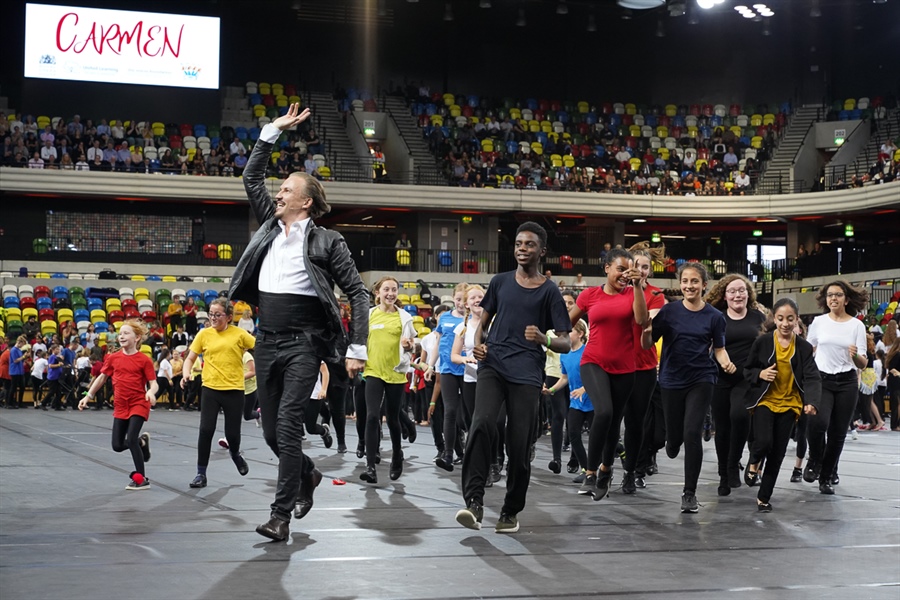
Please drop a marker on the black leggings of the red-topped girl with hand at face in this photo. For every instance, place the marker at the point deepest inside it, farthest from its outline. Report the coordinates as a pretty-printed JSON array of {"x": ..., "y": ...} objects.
[{"x": 609, "y": 393}]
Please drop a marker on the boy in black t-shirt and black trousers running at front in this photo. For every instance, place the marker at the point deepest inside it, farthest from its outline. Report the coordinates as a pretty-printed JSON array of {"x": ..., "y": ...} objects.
[{"x": 523, "y": 305}]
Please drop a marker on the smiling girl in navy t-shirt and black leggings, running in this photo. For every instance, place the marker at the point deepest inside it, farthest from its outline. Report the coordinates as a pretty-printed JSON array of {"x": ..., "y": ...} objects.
[{"x": 687, "y": 371}]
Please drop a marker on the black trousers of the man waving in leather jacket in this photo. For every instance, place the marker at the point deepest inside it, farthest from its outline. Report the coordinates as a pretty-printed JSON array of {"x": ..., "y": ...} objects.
[{"x": 287, "y": 368}]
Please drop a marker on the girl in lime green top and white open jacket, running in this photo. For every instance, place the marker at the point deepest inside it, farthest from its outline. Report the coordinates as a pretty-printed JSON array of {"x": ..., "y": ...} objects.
[{"x": 392, "y": 338}]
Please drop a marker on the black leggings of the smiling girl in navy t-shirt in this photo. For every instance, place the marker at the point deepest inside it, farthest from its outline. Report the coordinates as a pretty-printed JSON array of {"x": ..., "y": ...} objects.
[{"x": 685, "y": 409}]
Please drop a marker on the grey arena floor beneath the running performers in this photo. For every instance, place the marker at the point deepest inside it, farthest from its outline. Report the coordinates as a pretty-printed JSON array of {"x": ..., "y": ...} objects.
[{"x": 69, "y": 530}]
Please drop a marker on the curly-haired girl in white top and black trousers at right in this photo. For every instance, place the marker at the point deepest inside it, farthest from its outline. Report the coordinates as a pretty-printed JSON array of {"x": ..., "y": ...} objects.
[{"x": 839, "y": 340}]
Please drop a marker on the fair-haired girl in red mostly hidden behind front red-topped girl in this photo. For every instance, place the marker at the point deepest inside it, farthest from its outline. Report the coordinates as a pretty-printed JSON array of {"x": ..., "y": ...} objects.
[{"x": 645, "y": 362}]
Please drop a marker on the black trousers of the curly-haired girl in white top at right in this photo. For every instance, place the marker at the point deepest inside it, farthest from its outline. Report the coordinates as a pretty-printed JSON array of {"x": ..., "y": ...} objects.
[{"x": 828, "y": 427}]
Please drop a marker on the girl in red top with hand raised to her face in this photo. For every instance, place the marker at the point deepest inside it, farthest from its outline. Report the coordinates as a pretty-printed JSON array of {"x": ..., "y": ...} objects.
[{"x": 608, "y": 363}]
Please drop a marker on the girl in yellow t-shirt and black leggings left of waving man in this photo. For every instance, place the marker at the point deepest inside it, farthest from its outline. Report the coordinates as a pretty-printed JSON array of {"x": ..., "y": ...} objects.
[{"x": 222, "y": 346}]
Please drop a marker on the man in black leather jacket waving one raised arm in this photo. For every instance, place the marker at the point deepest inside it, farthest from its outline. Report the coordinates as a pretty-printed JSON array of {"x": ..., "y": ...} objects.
[{"x": 289, "y": 270}]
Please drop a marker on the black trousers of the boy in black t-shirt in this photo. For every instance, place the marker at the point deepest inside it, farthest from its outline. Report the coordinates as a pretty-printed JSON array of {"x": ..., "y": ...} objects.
[{"x": 521, "y": 401}]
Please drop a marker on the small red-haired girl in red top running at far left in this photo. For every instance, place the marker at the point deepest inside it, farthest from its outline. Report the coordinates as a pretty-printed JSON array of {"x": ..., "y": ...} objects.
[{"x": 131, "y": 372}]
